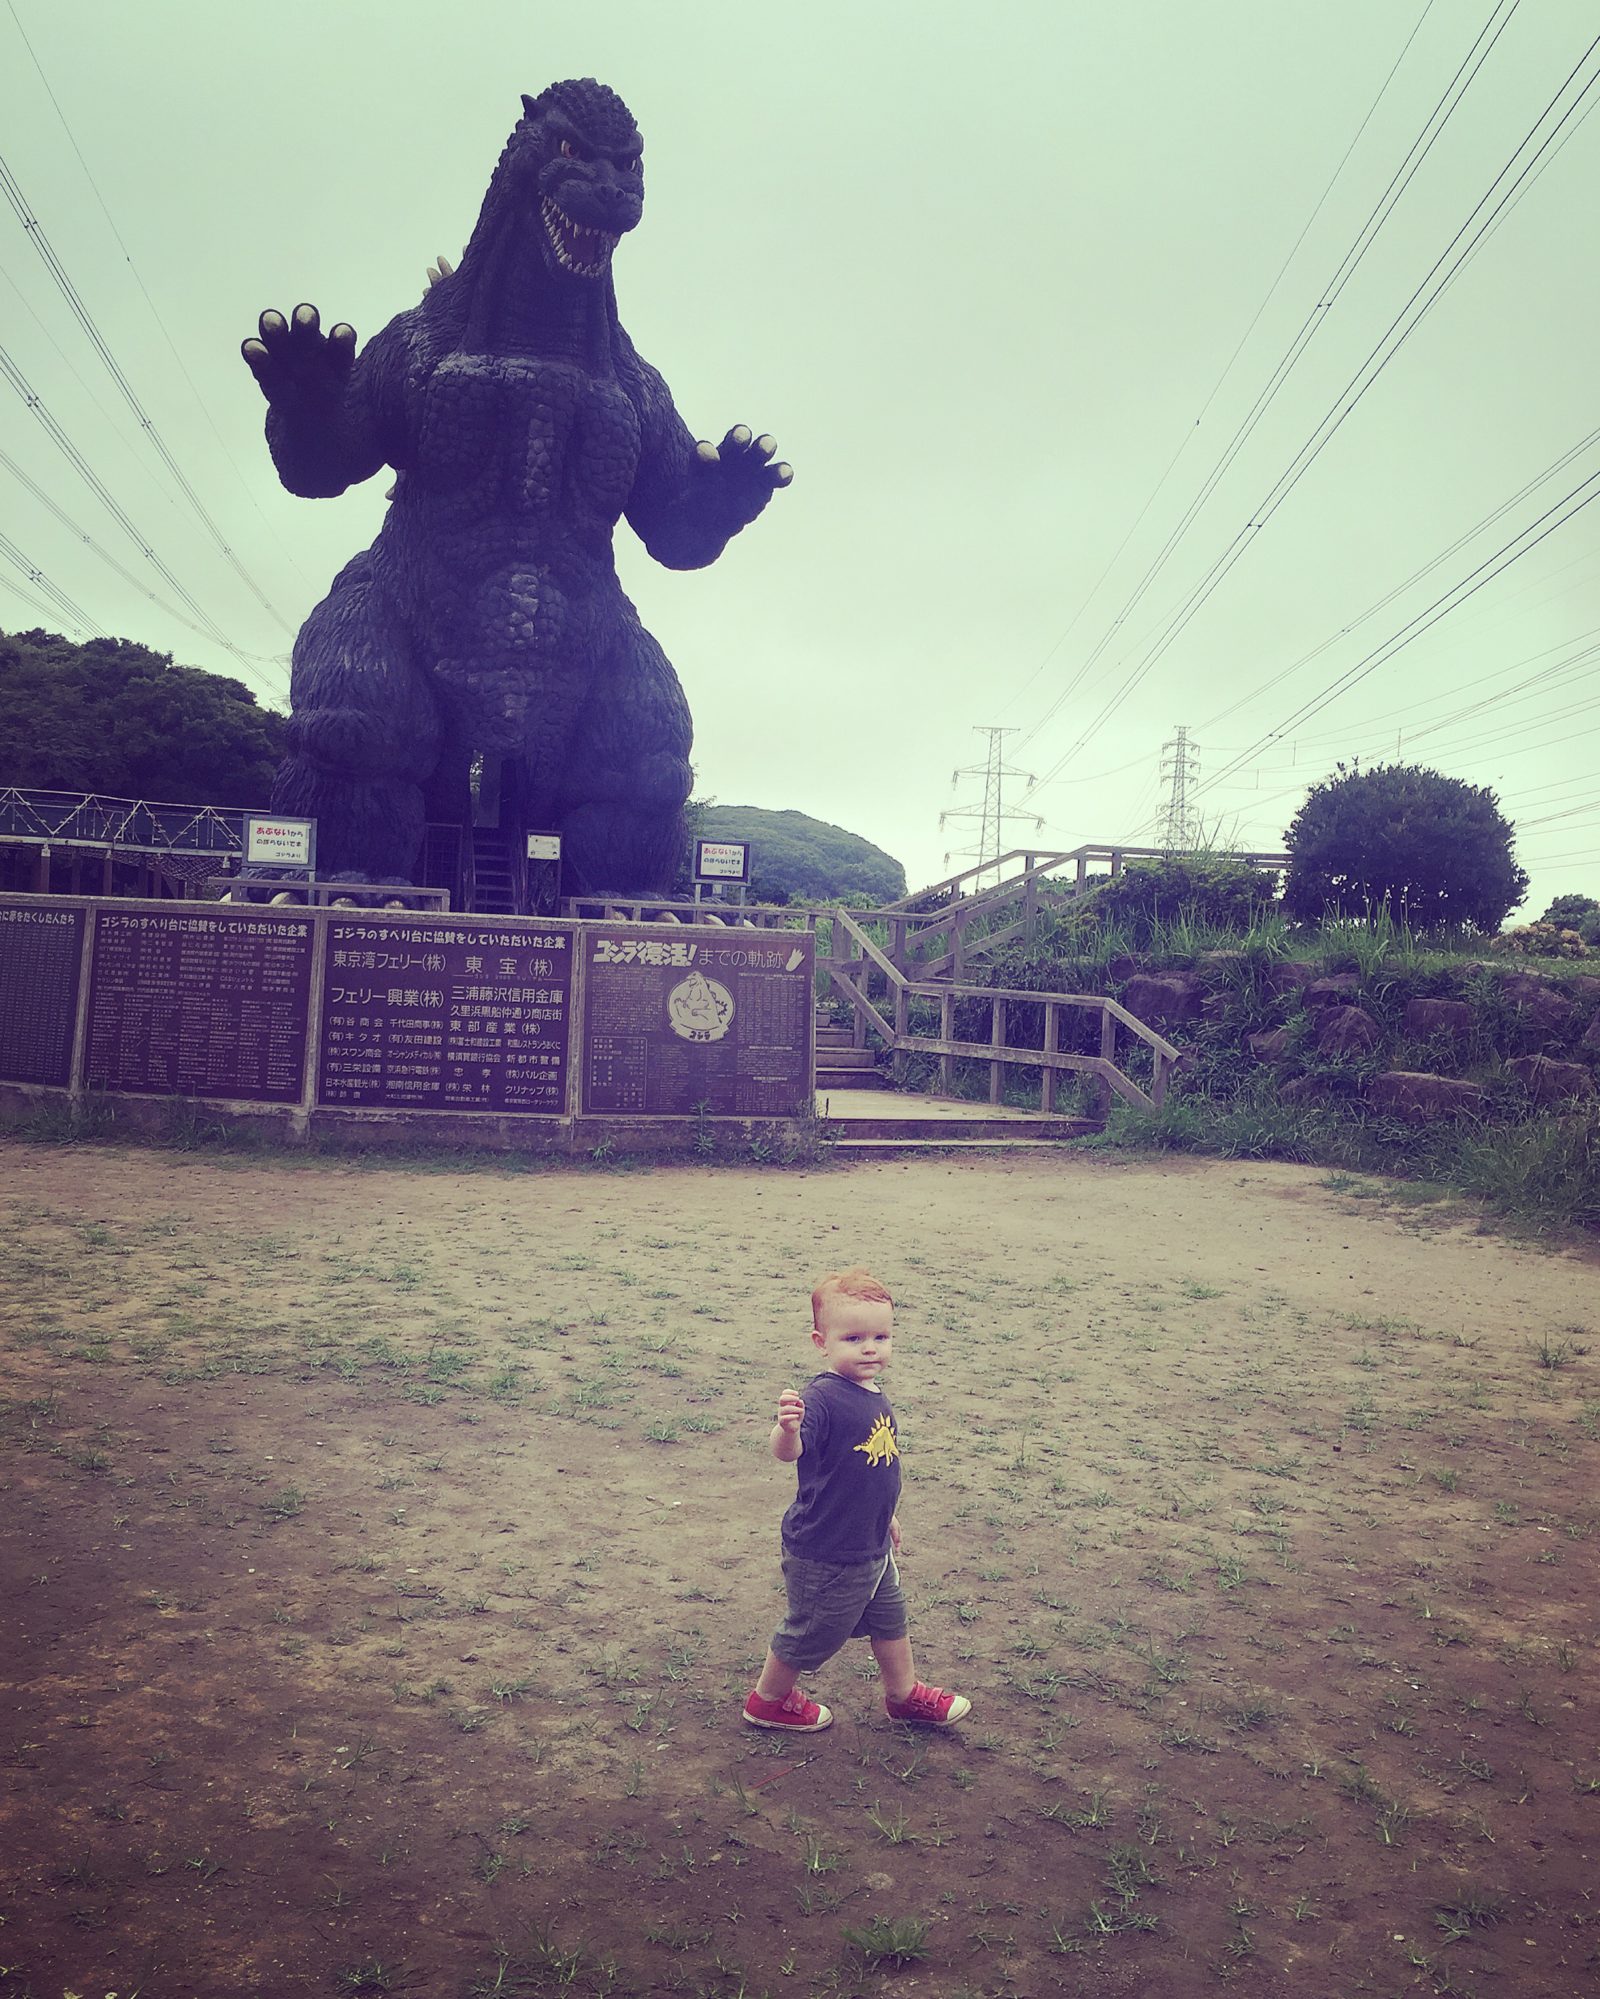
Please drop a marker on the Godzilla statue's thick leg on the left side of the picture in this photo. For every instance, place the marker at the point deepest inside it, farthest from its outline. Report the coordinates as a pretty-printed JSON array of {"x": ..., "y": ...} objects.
[{"x": 365, "y": 733}]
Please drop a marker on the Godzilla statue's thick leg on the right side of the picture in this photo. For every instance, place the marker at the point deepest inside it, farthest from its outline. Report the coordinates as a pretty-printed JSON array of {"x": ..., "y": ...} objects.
[{"x": 629, "y": 777}]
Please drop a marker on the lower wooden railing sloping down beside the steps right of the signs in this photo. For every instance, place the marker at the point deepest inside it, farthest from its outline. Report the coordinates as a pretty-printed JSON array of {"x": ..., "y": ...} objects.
[{"x": 889, "y": 1018}]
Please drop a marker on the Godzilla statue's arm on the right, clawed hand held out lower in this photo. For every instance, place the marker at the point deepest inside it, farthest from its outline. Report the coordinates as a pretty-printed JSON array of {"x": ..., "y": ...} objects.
[{"x": 691, "y": 499}]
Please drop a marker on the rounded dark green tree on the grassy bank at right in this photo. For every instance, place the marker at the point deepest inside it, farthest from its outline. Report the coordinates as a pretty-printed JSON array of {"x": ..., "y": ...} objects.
[{"x": 1431, "y": 851}]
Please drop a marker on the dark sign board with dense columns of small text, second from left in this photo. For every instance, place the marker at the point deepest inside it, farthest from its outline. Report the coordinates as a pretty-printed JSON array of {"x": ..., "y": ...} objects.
[{"x": 199, "y": 1002}]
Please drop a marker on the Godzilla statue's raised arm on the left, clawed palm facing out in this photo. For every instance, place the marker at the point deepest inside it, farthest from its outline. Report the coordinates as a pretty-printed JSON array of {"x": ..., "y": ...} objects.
[{"x": 335, "y": 417}]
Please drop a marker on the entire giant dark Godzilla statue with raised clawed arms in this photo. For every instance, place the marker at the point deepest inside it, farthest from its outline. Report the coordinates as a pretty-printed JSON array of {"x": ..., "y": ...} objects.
[{"x": 487, "y": 623}]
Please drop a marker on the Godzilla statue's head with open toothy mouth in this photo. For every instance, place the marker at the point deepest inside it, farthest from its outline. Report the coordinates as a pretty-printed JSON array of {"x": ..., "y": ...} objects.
[{"x": 579, "y": 155}]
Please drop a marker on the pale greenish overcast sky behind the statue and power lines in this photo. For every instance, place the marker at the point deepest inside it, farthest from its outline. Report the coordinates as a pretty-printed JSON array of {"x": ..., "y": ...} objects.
[{"x": 1003, "y": 287}]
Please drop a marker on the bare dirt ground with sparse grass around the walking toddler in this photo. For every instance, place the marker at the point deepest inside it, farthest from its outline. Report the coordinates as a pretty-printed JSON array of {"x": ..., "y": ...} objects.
[{"x": 387, "y": 1552}]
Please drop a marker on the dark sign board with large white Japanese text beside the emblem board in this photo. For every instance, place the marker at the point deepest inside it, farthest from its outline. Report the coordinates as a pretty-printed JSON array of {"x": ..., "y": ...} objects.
[{"x": 447, "y": 1016}]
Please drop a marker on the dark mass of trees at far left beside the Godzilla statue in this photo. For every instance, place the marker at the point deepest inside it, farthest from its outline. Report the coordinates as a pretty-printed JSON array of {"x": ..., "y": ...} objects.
[{"x": 119, "y": 719}]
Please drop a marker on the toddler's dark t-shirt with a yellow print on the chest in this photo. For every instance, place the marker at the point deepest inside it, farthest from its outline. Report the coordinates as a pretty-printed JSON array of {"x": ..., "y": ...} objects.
[{"x": 849, "y": 1474}]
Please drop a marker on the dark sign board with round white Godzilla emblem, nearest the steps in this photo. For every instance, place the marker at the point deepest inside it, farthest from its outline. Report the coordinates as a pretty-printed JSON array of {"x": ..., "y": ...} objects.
[{"x": 695, "y": 1016}]
